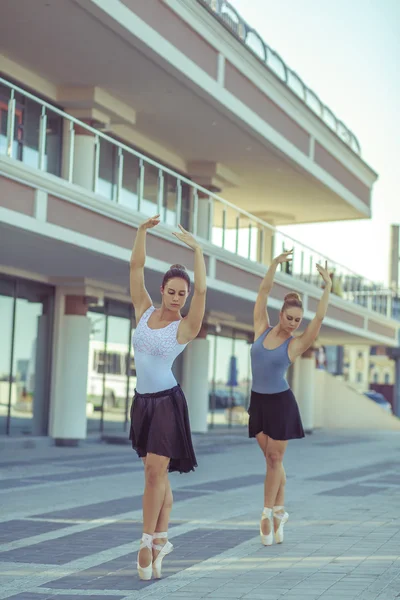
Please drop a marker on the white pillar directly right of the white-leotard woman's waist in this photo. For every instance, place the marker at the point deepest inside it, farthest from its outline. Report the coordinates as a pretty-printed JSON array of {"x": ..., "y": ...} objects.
[{"x": 195, "y": 383}]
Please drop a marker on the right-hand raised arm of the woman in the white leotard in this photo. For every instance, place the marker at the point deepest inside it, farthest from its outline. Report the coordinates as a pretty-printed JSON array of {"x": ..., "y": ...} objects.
[{"x": 191, "y": 324}]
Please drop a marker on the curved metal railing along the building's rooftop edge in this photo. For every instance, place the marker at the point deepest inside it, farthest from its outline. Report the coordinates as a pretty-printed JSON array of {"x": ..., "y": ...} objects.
[{"x": 226, "y": 13}]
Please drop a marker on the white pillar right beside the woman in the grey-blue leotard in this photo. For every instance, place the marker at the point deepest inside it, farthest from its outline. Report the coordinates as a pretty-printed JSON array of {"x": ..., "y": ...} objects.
[{"x": 305, "y": 390}]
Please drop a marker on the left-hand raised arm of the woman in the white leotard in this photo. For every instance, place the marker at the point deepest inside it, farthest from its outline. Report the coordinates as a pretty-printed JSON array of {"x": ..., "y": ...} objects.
[{"x": 139, "y": 295}]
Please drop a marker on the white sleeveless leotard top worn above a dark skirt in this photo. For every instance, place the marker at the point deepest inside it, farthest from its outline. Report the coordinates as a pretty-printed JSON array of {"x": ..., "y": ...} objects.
[{"x": 155, "y": 351}]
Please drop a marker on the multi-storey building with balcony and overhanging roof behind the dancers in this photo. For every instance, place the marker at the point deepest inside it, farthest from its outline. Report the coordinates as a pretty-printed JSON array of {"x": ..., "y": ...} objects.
[{"x": 114, "y": 111}]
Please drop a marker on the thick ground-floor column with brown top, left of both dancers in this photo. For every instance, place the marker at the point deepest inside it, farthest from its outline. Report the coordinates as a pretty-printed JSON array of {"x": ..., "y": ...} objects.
[{"x": 68, "y": 410}]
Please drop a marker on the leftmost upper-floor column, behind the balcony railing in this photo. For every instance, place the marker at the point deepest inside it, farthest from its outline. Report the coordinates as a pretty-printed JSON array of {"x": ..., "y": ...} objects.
[{"x": 83, "y": 155}]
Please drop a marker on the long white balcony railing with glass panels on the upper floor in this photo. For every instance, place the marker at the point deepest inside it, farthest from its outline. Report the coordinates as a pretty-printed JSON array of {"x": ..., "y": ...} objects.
[{"x": 31, "y": 132}]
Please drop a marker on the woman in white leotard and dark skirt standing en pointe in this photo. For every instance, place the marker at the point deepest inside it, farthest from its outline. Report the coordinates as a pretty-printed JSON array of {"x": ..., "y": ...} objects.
[{"x": 160, "y": 430}]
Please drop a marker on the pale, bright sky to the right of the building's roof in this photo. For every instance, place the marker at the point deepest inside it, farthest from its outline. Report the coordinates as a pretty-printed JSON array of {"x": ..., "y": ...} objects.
[{"x": 348, "y": 53}]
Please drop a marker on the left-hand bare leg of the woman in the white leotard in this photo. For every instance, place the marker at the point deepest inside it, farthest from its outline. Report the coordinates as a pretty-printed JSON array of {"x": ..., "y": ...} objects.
[{"x": 153, "y": 498}]
